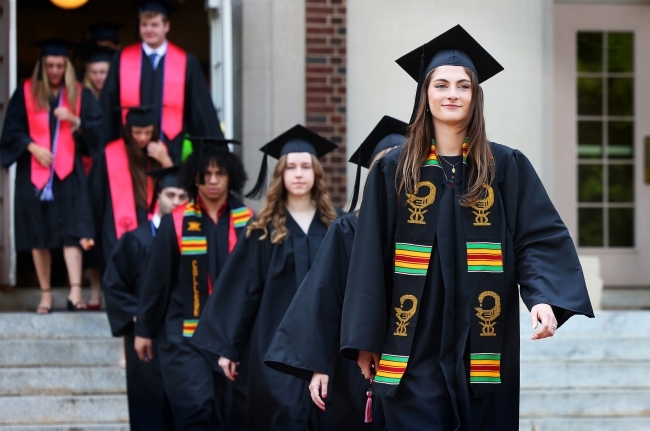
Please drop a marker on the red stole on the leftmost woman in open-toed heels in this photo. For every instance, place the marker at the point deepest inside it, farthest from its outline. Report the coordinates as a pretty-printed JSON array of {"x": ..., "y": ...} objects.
[{"x": 38, "y": 121}]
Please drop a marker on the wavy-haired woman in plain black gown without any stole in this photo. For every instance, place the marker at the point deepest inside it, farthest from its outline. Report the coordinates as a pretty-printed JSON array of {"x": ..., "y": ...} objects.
[{"x": 259, "y": 281}]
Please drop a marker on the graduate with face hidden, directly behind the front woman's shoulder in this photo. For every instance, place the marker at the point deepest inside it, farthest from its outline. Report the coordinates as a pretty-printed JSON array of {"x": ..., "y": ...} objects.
[{"x": 306, "y": 344}]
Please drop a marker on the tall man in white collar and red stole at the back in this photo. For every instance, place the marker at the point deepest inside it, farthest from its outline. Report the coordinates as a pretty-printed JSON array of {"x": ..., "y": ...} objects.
[{"x": 158, "y": 73}]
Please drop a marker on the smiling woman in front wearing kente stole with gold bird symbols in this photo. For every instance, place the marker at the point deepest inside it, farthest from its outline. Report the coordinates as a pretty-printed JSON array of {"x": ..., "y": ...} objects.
[{"x": 448, "y": 227}]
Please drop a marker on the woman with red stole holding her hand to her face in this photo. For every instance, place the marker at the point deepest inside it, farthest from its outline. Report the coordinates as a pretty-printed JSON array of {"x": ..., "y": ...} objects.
[{"x": 119, "y": 194}]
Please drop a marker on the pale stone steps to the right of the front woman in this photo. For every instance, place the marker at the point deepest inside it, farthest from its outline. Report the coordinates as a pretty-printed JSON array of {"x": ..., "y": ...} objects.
[{"x": 594, "y": 375}]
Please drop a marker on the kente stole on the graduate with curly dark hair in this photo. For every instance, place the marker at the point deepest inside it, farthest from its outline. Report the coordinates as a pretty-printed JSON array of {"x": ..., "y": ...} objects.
[{"x": 193, "y": 246}]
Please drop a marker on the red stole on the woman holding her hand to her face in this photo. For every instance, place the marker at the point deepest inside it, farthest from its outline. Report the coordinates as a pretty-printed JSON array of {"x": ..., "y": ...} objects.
[{"x": 121, "y": 187}]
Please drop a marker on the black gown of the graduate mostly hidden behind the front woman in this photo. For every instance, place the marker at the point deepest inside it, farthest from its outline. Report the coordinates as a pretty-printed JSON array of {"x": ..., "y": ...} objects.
[{"x": 307, "y": 339}]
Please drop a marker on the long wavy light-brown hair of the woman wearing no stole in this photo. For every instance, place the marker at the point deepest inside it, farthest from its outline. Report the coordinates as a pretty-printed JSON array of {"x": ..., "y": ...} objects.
[{"x": 274, "y": 208}]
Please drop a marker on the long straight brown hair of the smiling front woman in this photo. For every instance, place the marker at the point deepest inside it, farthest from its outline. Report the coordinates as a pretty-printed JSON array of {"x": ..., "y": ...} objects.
[{"x": 416, "y": 147}]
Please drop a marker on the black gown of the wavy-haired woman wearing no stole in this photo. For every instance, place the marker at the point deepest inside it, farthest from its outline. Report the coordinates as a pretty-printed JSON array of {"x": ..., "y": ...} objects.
[{"x": 251, "y": 296}]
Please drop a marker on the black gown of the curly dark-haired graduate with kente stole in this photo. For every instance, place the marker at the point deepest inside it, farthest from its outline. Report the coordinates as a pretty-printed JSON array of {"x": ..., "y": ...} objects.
[{"x": 193, "y": 380}]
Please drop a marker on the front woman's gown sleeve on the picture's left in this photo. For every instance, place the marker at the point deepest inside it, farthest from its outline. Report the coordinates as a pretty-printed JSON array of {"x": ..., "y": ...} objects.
[{"x": 369, "y": 287}]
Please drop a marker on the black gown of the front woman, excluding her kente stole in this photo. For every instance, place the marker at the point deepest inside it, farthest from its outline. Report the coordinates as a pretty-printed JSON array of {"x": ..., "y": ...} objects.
[{"x": 435, "y": 393}]
